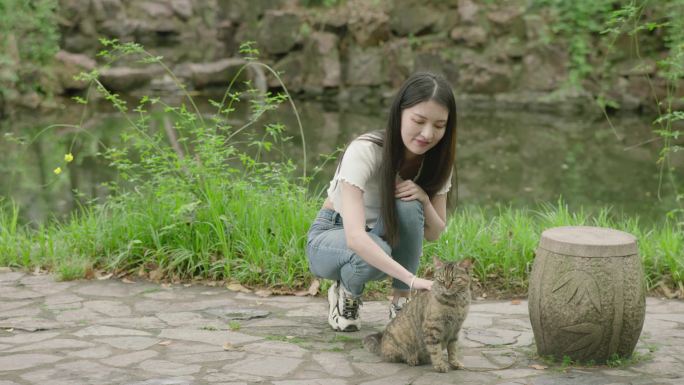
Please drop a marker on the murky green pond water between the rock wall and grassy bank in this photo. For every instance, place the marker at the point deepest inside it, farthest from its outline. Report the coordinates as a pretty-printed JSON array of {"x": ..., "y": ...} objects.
[{"x": 503, "y": 157}]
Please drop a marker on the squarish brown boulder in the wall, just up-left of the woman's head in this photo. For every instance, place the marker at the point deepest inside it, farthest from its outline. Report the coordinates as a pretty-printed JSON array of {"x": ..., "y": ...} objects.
[{"x": 365, "y": 66}]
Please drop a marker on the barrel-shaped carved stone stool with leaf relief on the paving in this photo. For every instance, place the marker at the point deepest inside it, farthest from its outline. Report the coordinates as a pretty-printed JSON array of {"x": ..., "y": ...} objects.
[{"x": 586, "y": 293}]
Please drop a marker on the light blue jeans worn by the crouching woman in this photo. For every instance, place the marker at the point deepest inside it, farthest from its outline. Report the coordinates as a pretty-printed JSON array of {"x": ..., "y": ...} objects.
[{"x": 329, "y": 257}]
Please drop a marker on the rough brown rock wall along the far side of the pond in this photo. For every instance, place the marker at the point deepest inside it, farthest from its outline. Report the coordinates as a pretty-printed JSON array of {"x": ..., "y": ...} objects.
[{"x": 496, "y": 54}]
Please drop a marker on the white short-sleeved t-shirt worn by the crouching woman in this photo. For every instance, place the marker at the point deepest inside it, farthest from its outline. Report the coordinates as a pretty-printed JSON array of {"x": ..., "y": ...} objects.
[{"x": 360, "y": 167}]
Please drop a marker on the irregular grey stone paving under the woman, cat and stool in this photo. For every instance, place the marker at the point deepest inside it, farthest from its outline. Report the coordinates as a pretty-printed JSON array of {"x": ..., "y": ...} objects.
[{"x": 122, "y": 332}]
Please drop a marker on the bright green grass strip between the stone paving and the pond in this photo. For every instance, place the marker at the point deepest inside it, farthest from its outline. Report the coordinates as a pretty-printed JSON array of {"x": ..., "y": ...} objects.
[{"x": 256, "y": 235}]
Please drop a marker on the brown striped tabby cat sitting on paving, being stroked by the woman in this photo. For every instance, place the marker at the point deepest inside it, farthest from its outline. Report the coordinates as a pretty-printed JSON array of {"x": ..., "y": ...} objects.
[{"x": 429, "y": 322}]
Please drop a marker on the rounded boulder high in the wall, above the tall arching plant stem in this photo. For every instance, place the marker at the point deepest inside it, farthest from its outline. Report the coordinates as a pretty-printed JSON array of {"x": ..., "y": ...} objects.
[{"x": 279, "y": 31}]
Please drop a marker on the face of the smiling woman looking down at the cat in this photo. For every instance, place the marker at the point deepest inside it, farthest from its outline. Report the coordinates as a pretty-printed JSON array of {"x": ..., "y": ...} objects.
[{"x": 422, "y": 127}]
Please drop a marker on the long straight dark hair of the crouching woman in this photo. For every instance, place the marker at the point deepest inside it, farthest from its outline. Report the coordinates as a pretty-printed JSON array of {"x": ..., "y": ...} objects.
[{"x": 438, "y": 161}]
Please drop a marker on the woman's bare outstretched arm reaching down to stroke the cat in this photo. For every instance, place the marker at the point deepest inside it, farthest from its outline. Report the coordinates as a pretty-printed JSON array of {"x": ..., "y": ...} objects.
[{"x": 358, "y": 240}]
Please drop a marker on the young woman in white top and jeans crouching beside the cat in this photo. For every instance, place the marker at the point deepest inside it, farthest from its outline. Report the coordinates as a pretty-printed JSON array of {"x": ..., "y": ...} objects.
[{"x": 388, "y": 192}]
